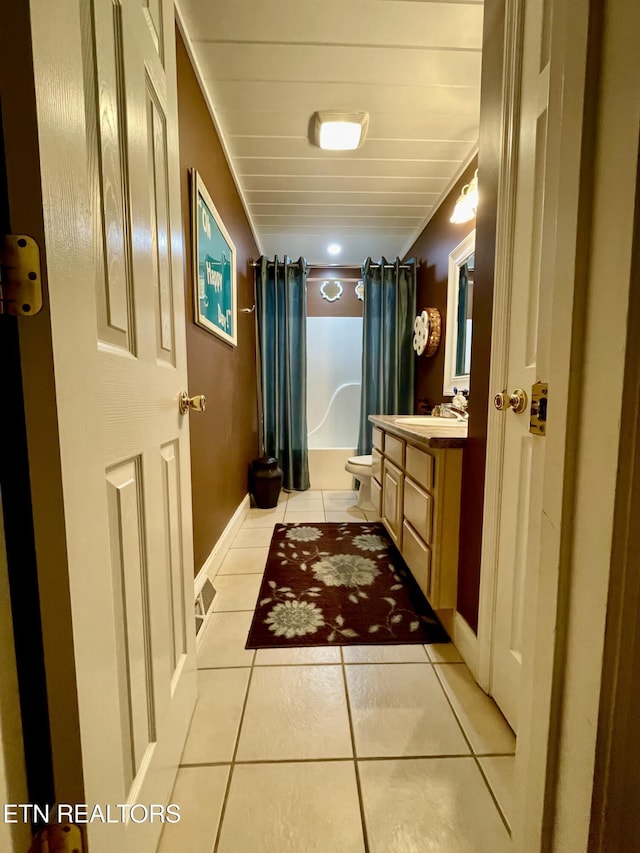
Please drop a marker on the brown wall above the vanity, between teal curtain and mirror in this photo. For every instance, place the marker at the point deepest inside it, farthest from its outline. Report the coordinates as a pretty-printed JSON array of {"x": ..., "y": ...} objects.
[{"x": 432, "y": 249}]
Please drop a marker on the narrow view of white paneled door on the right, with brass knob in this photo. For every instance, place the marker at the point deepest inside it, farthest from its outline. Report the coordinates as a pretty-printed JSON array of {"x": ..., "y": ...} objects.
[{"x": 528, "y": 330}]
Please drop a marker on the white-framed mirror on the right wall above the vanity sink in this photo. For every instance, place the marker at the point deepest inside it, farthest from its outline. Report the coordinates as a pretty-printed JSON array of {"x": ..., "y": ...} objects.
[{"x": 457, "y": 358}]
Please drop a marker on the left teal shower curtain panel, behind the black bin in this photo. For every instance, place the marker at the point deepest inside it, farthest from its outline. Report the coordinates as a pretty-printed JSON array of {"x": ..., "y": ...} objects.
[{"x": 281, "y": 319}]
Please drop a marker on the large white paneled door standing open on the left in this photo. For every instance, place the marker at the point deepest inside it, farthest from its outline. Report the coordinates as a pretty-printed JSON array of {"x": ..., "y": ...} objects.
[{"x": 105, "y": 90}]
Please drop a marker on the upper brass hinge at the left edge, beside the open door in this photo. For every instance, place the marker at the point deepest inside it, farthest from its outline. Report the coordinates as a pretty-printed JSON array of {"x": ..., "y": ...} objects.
[{"x": 20, "y": 278}]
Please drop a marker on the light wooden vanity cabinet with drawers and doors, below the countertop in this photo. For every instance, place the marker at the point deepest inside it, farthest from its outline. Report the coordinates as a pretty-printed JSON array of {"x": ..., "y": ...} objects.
[{"x": 418, "y": 488}]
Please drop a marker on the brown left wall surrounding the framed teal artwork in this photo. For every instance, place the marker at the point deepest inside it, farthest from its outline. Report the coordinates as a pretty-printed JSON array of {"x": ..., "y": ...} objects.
[{"x": 225, "y": 438}]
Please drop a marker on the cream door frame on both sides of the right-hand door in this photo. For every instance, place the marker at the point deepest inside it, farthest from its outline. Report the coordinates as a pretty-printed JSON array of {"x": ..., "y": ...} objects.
[{"x": 588, "y": 263}]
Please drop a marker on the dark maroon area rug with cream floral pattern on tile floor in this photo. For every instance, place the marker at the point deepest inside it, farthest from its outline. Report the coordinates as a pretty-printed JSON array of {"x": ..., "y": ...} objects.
[{"x": 339, "y": 584}]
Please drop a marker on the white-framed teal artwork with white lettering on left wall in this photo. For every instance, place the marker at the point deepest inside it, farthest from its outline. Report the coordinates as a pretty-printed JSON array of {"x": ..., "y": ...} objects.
[{"x": 214, "y": 267}]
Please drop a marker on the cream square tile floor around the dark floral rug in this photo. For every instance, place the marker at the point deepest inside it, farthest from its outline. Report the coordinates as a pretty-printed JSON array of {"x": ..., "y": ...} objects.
[{"x": 387, "y": 749}]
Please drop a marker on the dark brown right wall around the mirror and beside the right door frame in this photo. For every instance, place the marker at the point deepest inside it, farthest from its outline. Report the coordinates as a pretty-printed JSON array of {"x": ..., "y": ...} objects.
[{"x": 433, "y": 246}]
